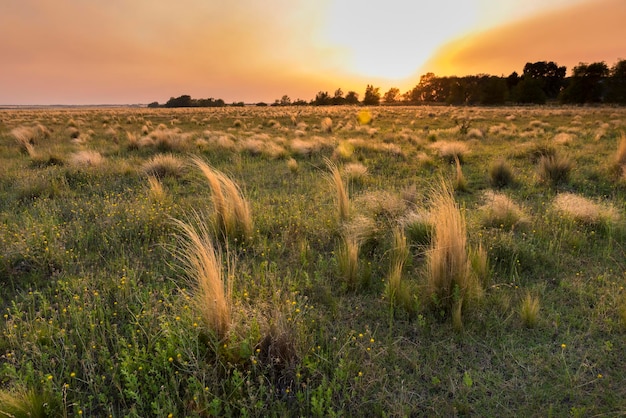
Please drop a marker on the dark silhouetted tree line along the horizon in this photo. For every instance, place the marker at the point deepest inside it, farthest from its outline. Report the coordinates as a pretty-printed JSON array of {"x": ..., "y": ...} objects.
[{"x": 540, "y": 82}]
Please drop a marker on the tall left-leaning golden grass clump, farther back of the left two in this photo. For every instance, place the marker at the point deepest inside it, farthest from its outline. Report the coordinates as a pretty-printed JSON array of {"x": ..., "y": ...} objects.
[{"x": 232, "y": 216}]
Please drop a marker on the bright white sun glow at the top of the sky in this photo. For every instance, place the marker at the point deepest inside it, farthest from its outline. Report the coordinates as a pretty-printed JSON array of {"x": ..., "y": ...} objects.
[{"x": 391, "y": 40}]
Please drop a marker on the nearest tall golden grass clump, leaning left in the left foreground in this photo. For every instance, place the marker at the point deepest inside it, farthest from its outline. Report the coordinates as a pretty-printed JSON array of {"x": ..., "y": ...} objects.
[{"x": 202, "y": 262}]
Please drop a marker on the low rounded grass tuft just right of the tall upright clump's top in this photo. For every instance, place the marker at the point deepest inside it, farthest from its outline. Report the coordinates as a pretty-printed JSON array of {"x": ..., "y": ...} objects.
[{"x": 500, "y": 211}]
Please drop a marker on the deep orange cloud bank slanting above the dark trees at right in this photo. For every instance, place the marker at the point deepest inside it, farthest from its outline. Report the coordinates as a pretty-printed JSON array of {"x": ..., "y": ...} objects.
[{"x": 589, "y": 32}]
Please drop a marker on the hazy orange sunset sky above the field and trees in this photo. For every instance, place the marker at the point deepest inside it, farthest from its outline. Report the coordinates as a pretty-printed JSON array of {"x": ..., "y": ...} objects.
[{"x": 140, "y": 51}]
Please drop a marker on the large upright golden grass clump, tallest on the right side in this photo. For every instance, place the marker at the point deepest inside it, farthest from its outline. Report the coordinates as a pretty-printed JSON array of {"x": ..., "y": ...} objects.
[{"x": 450, "y": 285}]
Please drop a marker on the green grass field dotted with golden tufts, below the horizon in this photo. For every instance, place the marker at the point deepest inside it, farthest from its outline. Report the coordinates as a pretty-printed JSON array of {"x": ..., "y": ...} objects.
[{"x": 392, "y": 261}]
